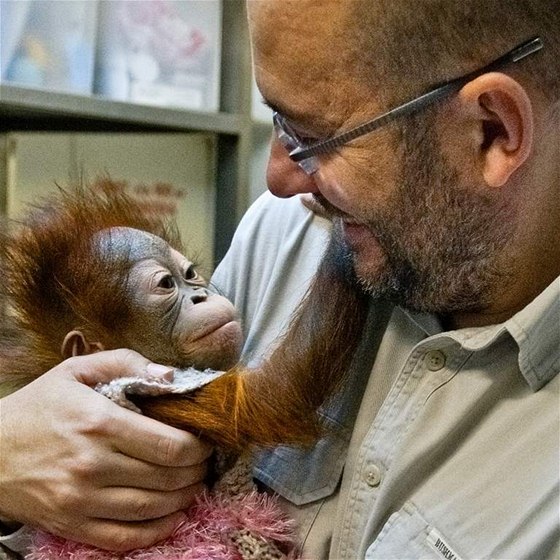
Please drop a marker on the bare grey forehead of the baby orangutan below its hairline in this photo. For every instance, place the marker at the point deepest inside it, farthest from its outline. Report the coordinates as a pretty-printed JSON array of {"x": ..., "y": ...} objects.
[{"x": 129, "y": 243}]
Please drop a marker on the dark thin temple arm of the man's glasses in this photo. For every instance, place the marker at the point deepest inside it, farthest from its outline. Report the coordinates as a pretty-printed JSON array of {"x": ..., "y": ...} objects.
[{"x": 515, "y": 55}]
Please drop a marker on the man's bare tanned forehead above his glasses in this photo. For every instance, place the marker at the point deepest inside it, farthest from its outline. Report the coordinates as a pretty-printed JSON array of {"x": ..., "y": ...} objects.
[{"x": 302, "y": 61}]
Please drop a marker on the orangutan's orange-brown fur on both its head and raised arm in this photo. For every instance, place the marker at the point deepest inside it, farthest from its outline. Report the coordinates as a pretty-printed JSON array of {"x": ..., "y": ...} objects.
[{"x": 55, "y": 284}]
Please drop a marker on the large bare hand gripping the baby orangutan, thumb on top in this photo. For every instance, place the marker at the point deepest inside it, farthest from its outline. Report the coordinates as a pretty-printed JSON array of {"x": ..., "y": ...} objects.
[{"x": 77, "y": 465}]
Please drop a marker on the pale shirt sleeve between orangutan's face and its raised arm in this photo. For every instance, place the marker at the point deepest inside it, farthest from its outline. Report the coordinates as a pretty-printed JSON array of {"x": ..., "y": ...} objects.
[{"x": 273, "y": 257}]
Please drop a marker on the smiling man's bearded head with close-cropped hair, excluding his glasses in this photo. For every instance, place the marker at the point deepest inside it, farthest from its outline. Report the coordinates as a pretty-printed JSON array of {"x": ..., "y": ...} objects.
[{"x": 439, "y": 208}]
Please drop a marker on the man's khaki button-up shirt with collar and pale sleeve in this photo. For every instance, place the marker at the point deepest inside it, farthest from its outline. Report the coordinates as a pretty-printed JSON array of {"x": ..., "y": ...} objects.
[{"x": 453, "y": 451}]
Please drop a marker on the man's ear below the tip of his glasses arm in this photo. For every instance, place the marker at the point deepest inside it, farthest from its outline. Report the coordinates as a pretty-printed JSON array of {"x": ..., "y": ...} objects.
[{"x": 505, "y": 137}]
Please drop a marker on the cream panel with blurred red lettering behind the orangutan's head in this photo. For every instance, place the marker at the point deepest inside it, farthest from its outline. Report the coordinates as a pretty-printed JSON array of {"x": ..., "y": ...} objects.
[{"x": 170, "y": 174}]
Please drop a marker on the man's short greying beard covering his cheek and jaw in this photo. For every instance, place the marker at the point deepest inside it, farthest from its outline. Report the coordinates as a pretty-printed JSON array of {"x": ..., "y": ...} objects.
[{"x": 441, "y": 239}]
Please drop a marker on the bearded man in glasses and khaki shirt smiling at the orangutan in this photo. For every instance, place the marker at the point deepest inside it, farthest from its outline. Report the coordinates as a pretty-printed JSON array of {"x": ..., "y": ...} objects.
[{"x": 448, "y": 444}]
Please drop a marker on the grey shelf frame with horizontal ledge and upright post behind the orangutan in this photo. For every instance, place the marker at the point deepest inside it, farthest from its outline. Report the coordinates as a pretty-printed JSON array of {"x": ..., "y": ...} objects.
[{"x": 23, "y": 109}]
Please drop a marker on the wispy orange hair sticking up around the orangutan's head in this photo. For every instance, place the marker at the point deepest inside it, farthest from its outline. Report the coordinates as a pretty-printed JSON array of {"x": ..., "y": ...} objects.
[{"x": 52, "y": 281}]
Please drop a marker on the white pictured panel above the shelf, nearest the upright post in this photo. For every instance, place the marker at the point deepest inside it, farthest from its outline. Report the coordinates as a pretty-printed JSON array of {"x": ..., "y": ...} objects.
[{"x": 160, "y": 52}]
